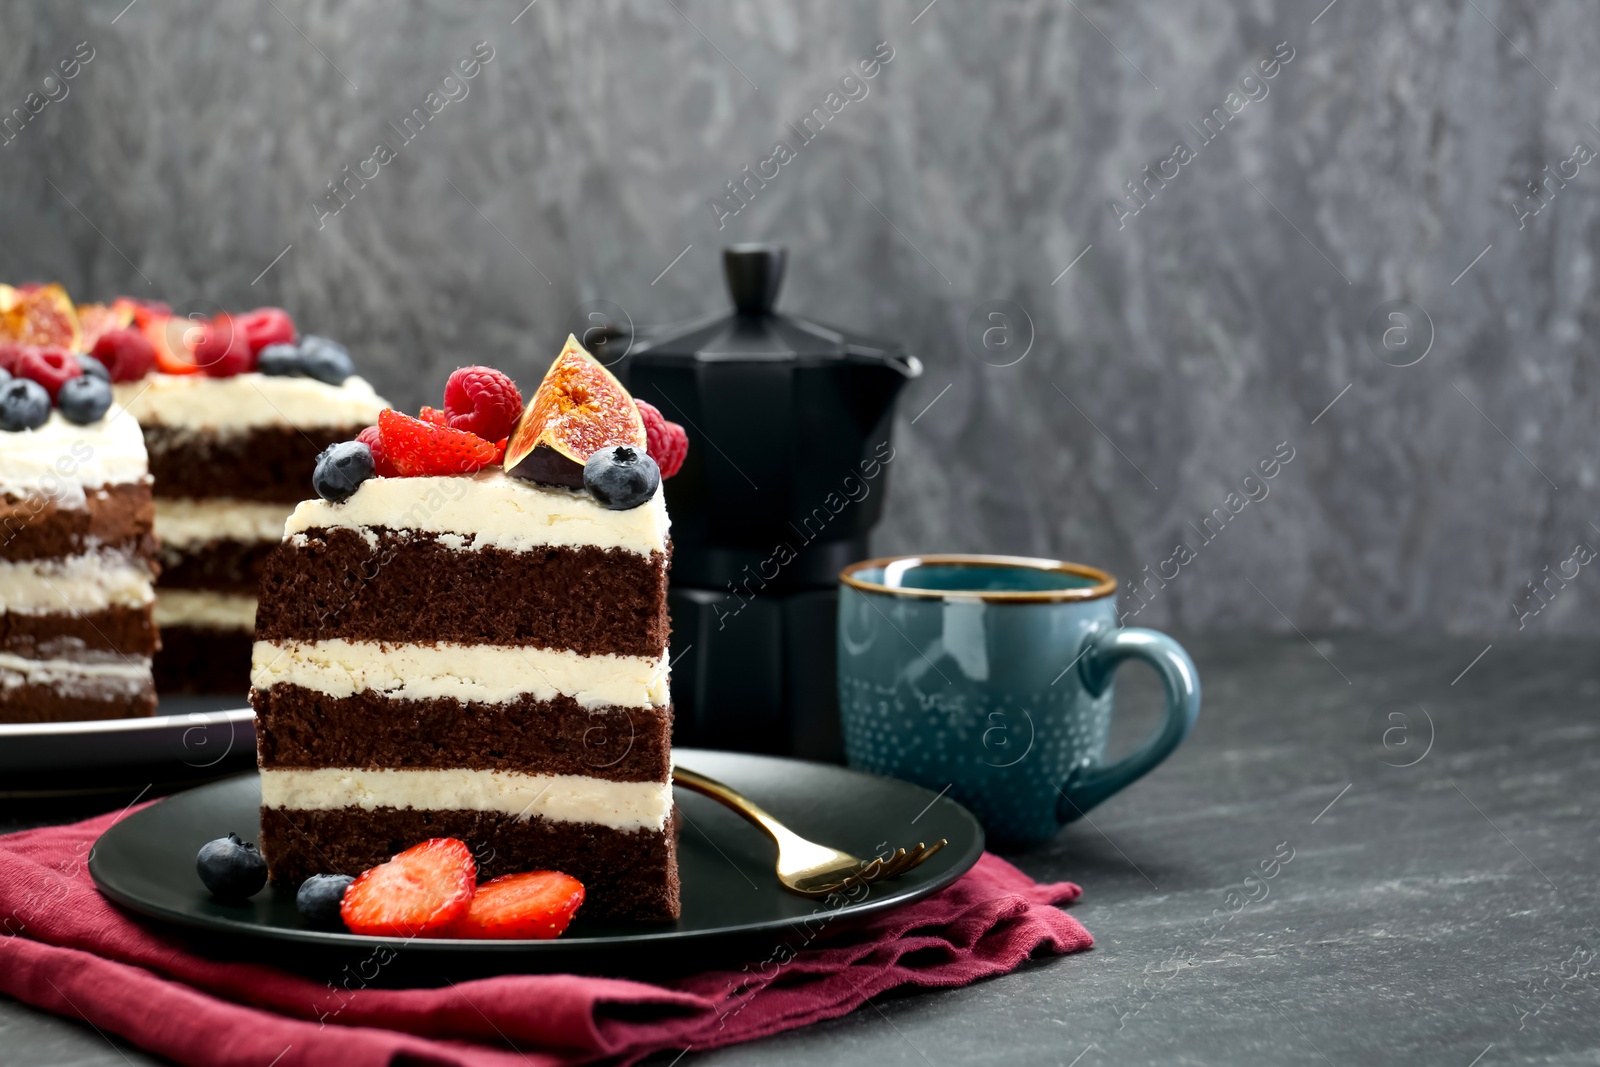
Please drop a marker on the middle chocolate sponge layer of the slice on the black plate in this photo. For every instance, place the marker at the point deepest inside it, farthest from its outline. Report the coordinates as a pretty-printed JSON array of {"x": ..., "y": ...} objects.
[{"x": 298, "y": 727}]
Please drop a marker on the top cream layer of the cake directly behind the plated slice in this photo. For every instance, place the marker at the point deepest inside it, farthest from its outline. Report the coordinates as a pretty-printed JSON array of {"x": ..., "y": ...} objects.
[{"x": 198, "y": 402}]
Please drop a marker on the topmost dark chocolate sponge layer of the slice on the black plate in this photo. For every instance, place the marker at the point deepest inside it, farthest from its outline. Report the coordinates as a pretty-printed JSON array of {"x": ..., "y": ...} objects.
[{"x": 412, "y": 588}]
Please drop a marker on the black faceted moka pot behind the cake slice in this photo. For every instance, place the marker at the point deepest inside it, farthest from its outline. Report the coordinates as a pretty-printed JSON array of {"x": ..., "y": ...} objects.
[{"x": 785, "y": 479}]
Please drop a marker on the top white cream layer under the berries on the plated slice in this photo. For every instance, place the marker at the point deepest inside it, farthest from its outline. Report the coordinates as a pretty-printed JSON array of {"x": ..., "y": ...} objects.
[{"x": 490, "y": 510}]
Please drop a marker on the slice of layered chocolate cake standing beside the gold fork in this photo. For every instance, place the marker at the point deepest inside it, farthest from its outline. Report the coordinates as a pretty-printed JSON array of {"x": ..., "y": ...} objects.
[{"x": 474, "y": 657}]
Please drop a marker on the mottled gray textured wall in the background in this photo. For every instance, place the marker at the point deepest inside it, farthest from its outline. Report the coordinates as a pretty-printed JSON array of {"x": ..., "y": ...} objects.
[{"x": 1178, "y": 351}]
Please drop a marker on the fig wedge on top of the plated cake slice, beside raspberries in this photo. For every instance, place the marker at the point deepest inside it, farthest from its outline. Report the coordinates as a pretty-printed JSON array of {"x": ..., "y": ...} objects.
[{"x": 578, "y": 410}]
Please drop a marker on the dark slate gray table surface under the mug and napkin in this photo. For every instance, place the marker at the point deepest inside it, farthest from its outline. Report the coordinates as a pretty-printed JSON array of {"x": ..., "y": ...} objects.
[{"x": 1436, "y": 908}]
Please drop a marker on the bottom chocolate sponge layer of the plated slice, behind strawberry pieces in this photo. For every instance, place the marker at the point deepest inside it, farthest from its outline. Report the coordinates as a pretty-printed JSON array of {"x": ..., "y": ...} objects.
[{"x": 626, "y": 874}]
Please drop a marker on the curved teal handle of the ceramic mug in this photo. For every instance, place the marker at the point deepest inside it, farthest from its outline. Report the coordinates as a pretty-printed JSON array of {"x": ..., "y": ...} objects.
[{"x": 1090, "y": 785}]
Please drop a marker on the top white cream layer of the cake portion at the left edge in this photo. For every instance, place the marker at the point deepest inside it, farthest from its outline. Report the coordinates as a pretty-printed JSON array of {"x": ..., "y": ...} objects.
[{"x": 62, "y": 458}]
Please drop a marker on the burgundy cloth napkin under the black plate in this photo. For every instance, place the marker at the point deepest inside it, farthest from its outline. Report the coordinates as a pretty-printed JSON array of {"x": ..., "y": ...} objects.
[{"x": 70, "y": 951}]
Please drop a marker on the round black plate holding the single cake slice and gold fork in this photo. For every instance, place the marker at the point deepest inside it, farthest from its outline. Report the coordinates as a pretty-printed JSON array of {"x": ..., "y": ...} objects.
[{"x": 148, "y": 863}]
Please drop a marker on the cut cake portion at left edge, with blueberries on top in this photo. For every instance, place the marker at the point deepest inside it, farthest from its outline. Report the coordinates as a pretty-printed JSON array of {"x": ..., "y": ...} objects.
[{"x": 76, "y": 559}]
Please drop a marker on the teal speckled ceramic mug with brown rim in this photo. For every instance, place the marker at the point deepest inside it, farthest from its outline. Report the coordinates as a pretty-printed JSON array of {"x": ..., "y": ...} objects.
[{"x": 991, "y": 676}]
